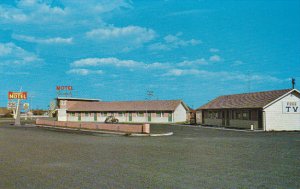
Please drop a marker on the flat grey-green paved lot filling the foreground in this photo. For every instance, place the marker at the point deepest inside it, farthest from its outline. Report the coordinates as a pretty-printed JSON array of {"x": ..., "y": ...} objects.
[{"x": 193, "y": 158}]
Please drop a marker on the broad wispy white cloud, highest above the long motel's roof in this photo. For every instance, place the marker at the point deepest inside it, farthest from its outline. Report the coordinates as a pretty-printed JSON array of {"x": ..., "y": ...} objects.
[{"x": 137, "y": 34}]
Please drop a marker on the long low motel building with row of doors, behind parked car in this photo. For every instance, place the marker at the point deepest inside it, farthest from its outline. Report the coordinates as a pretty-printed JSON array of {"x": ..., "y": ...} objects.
[{"x": 93, "y": 110}]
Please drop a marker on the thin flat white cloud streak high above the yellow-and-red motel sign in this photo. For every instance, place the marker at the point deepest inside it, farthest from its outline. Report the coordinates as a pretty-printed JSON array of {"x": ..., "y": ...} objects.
[{"x": 55, "y": 40}]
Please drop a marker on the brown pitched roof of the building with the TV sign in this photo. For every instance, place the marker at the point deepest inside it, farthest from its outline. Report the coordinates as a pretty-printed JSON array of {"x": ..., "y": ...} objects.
[{"x": 246, "y": 100}]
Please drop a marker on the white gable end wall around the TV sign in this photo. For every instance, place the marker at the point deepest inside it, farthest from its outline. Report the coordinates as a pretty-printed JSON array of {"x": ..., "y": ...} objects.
[{"x": 276, "y": 120}]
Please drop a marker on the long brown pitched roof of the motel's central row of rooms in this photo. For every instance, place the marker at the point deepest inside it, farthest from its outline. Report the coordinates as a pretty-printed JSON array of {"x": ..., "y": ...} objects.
[{"x": 153, "y": 105}]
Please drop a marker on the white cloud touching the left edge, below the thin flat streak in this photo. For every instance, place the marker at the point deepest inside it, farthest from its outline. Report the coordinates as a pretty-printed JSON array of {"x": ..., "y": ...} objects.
[{"x": 11, "y": 54}]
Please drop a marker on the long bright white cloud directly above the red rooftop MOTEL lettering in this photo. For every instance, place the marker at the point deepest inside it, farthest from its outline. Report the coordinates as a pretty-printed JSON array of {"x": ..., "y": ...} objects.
[{"x": 106, "y": 61}]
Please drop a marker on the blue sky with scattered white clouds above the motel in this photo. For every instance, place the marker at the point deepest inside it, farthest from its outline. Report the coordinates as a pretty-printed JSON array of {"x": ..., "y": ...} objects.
[{"x": 117, "y": 50}]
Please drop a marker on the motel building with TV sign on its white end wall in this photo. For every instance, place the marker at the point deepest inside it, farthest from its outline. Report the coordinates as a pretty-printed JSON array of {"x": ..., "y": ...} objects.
[{"x": 277, "y": 110}]
